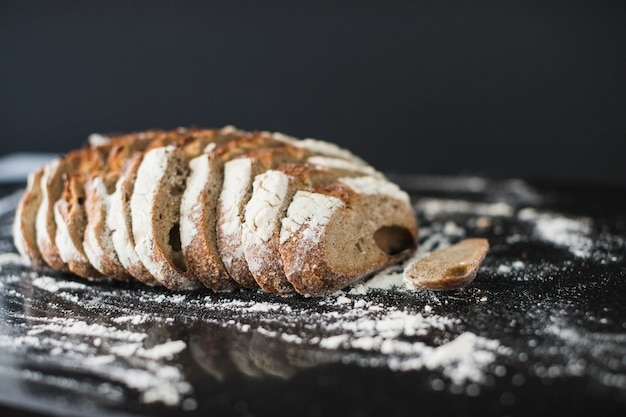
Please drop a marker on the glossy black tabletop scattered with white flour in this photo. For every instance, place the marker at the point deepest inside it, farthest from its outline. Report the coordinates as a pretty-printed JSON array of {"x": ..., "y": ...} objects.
[{"x": 541, "y": 329}]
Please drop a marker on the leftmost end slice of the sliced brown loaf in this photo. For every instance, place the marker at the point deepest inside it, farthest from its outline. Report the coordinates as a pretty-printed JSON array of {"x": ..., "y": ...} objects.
[{"x": 24, "y": 230}]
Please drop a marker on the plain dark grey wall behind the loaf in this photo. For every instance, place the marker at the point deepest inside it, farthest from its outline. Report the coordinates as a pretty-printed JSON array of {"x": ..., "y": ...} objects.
[{"x": 507, "y": 89}]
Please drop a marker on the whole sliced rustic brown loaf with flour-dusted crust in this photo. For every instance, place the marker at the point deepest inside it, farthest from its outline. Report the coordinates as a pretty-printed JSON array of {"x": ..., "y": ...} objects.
[{"x": 219, "y": 208}]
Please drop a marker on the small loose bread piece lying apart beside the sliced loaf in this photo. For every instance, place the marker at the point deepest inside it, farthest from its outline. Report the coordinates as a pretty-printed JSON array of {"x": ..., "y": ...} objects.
[{"x": 448, "y": 268}]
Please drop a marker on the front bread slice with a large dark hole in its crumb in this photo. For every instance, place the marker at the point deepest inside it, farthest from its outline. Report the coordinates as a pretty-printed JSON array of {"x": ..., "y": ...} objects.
[{"x": 339, "y": 233}]
